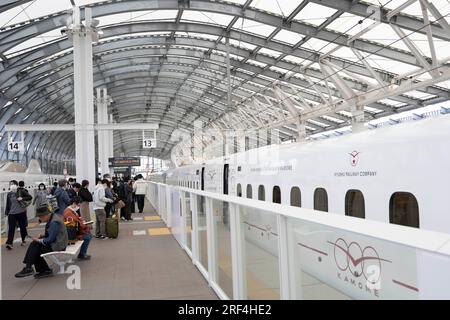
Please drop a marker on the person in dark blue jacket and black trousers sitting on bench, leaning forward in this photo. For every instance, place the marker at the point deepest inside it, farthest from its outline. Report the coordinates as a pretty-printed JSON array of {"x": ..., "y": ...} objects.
[{"x": 55, "y": 239}]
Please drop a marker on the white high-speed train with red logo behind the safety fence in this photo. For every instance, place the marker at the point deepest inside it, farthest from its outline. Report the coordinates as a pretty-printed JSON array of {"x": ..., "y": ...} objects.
[{"x": 398, "y": 174}]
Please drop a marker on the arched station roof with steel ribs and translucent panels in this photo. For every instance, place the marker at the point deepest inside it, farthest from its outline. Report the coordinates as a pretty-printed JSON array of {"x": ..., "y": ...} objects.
[{"x": 166, "y": 62}]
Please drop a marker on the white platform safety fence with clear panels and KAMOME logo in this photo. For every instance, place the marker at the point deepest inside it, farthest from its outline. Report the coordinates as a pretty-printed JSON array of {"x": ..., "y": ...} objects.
[{"x": 250, "y": 249}]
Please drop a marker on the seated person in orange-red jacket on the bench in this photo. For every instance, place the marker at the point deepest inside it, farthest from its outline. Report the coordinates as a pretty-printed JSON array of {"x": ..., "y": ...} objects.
[{"x": 84, "y": 233}]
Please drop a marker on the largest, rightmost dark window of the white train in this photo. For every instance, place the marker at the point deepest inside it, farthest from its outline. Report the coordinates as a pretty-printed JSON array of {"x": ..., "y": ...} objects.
[{"x": 404, "y": 209}]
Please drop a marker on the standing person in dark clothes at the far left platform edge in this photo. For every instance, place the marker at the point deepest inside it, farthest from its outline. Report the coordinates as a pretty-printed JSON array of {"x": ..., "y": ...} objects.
[{"x": 17, "y": 201}]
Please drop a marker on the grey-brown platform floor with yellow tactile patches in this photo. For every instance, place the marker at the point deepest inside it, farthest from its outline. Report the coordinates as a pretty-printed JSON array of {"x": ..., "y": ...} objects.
[{"x": 144, "y": 262}]
